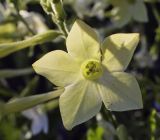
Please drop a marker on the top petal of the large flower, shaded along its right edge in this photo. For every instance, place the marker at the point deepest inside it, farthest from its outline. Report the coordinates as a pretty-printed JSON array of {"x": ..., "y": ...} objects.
[{"x": 82, "y": 42}]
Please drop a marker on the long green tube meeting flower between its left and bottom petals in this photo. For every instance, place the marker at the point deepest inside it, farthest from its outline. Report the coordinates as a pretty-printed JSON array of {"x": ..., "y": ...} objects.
[{"x": 24, "y": 103}]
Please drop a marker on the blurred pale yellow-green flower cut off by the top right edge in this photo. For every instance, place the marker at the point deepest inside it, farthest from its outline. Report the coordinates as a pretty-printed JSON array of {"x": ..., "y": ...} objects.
[{"x": 126, "y": 10}]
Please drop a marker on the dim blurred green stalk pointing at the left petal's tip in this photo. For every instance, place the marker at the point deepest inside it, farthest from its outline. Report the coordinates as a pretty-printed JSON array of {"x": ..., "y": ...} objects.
[{"x": 10, "y": 73}]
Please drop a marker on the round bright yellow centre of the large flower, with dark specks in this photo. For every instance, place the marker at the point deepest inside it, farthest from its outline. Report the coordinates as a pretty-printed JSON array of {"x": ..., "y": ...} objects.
[{"x": 91, "y": 69}]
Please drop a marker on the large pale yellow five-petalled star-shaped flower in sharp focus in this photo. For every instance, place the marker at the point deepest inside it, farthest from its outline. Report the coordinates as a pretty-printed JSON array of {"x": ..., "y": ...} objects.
[{"x": 92, "y": 73}]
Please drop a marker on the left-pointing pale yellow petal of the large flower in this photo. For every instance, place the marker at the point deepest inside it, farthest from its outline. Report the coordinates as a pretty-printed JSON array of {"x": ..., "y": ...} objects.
[{"x": 58, "y": 67}]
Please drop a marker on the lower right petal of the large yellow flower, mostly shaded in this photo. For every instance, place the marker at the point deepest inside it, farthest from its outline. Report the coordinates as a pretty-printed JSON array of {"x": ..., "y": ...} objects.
[{"x": 120, "y": 92}]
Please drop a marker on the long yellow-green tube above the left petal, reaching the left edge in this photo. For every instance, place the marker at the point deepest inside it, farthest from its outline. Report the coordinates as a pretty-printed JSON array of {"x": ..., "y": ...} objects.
[{"x": 8, "y": 48}]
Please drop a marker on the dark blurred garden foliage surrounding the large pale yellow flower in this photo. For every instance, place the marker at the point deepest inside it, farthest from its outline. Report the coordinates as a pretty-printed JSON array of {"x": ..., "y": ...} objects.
[{"x": 20, "y": 20}]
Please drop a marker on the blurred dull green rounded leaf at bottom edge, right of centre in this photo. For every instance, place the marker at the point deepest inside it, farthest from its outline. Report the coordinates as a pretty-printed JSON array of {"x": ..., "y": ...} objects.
[{"x": 122, "y": 132}]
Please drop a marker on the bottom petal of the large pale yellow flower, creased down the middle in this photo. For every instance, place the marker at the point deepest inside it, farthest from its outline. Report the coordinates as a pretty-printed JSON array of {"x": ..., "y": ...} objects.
[{"x": 79, "y": 102}]
